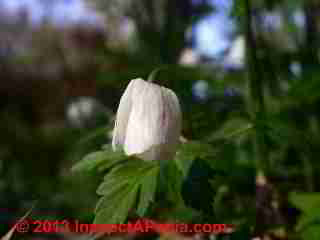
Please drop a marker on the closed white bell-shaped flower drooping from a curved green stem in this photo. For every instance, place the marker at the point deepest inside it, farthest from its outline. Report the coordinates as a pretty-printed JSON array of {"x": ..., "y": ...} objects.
[{"x": 148, "y": 121}]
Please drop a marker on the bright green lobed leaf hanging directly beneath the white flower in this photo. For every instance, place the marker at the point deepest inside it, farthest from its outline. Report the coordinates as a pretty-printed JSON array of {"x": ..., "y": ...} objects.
[{"x": 120, "y": 189}]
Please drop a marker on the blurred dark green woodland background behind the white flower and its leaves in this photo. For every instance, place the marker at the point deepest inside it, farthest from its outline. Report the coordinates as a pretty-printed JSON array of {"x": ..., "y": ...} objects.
[{"x": 248, "y": 79}]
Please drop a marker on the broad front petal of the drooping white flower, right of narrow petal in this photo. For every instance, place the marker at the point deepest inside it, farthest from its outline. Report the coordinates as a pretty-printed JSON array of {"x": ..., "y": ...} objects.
[{"x": 154, "y": 124}]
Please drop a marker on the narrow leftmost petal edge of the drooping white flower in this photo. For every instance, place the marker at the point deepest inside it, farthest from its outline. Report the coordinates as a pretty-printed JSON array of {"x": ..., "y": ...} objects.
[{"x": 122, "y": 117}]
